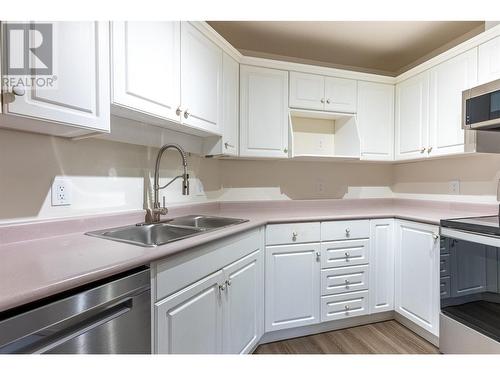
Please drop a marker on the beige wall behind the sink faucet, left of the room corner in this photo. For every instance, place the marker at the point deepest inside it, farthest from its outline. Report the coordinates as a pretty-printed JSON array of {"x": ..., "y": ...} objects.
[{"x": 105, "y": 176}]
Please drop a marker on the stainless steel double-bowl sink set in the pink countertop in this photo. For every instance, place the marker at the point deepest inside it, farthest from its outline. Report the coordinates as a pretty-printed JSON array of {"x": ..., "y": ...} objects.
[{"x": 151, "y": 235}]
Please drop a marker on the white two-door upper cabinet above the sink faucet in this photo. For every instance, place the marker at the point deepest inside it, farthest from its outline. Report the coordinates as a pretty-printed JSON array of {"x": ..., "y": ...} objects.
[{"x": 167, "y": 74}]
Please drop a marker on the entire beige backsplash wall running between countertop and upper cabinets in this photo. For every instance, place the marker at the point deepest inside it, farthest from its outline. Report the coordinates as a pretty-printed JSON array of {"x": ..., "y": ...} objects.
[{"x": 110, "y": 177}]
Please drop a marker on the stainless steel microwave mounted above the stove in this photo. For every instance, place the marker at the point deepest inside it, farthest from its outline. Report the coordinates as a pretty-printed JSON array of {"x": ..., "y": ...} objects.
[{"x": 481, "y": 107}]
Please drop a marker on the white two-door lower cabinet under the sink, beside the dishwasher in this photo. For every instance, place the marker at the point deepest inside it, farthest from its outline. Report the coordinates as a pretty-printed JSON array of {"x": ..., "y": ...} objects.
[{"x": 219, "y": 313}]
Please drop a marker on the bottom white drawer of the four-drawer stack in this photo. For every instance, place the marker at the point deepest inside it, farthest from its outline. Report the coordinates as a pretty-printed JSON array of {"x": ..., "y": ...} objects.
[{"x": 345, "y": 305}]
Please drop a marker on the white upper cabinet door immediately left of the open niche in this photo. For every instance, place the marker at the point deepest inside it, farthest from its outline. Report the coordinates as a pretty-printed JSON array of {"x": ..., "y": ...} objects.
[{"x": 264, "y": 112}]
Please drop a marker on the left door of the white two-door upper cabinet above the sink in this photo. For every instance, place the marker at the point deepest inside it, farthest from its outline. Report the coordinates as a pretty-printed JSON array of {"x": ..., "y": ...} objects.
[{"x": 146, "y": 67}]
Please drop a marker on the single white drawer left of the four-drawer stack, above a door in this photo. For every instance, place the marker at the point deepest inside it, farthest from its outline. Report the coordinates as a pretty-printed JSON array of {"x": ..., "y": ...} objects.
[{"x": 278, "y": 234}]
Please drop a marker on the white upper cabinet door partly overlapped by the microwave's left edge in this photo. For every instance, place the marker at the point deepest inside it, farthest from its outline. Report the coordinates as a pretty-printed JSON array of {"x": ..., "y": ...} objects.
[{"x": 447, "y": 82}]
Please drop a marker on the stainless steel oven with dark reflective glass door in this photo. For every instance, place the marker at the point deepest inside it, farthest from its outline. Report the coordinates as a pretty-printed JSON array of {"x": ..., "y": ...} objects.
[{"x": 470, "y": 285}]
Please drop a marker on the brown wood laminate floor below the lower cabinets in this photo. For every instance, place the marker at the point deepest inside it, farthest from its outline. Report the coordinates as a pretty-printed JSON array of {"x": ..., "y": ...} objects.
[{"x": 388, "y": 337}]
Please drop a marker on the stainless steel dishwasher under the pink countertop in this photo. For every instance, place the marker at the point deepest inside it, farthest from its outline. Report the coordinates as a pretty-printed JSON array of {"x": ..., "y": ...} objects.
[{"x": 112, "y": 316}]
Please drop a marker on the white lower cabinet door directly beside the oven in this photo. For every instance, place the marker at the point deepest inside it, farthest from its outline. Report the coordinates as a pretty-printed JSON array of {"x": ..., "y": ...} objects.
[{"x": 417, "y": 274}]
